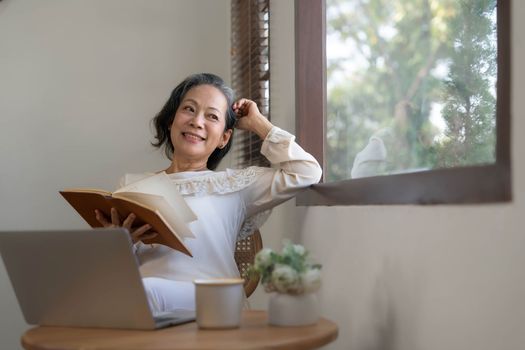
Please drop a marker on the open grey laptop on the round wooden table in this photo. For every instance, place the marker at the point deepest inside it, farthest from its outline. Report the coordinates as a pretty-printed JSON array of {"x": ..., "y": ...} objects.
[{"x": 81, "y": 278}]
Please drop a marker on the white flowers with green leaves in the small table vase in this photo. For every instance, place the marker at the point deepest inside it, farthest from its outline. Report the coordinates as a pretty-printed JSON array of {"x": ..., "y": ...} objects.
[{"x": 288, "y": 272}]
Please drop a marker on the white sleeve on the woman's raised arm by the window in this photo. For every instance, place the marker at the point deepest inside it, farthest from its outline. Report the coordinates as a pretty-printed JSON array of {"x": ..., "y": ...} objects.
[{"x": 293, "y": 169}]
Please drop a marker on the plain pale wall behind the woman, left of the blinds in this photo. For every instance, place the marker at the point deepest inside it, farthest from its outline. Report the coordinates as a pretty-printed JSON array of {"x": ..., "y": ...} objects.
[{"x": 79, "y": 82}]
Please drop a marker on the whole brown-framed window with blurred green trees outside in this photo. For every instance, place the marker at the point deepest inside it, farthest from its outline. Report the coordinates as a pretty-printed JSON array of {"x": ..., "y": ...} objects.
[{"x": 427, "y": 82}]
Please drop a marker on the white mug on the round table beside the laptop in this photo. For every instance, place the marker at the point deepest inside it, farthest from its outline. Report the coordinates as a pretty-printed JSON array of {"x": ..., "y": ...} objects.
[{"x": 219, "y": 302}]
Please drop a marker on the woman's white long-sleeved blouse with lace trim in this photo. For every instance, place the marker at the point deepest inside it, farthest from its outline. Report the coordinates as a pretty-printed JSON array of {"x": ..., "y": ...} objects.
[{"x": 230, "y": 205}]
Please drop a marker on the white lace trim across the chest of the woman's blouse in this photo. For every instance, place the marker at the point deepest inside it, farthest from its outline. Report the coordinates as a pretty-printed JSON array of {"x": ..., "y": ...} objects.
[{"x": 220, "y": 183}]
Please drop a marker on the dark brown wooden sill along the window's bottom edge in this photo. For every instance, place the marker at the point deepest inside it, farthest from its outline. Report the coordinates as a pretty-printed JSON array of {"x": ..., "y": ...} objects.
[{"x": 442, "y": 186}]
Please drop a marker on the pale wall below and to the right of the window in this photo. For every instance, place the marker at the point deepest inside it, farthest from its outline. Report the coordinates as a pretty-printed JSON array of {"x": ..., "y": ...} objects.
[{"x": 412, "y": 277}]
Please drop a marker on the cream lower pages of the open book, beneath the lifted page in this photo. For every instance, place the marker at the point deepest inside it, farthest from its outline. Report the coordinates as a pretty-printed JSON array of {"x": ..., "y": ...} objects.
[{"x": 160, "y": 205}]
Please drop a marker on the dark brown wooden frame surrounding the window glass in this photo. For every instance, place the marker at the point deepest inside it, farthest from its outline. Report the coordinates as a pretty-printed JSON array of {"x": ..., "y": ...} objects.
[{"x": 460, "y": 185}]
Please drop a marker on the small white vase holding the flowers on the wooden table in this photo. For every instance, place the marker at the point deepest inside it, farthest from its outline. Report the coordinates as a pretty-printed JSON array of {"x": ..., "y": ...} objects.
[{"x": 293, "y": 310}]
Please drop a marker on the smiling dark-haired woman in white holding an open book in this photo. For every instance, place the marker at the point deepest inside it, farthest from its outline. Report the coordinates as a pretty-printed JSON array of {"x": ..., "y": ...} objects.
[{"x": 195, "y": 127}]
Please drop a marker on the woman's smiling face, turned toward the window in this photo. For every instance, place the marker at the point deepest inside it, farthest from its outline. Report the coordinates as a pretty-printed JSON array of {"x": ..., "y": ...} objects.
[{"x": 198, "y": 127}]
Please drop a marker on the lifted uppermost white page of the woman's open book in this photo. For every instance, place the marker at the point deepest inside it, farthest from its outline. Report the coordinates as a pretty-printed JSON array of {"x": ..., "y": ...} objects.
[{"x": 161, "y": 185}]
